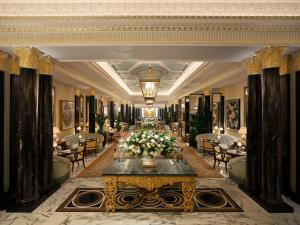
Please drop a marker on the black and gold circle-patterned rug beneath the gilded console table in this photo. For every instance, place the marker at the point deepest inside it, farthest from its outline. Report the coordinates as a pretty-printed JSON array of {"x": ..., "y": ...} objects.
[{"x": 170, "y": 200}]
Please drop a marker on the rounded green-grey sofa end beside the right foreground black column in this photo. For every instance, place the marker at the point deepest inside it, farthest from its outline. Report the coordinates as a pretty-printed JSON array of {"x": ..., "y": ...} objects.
[{"x": 237, "y": 169}]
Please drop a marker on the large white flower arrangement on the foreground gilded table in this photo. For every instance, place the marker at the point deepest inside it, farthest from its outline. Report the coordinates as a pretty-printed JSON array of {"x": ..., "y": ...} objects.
[{"x": 145, "y": 144}]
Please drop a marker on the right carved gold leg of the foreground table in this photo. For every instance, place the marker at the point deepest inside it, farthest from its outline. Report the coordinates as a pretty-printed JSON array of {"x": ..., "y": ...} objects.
[{"x": 188, "y": 190}]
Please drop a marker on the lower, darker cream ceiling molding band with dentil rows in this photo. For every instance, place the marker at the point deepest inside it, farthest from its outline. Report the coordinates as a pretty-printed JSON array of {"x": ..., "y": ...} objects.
[{"x": 143, "y": 30}]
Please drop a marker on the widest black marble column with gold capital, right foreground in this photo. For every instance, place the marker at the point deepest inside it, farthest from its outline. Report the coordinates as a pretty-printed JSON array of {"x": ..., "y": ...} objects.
[{"x": 271, "y": 160}]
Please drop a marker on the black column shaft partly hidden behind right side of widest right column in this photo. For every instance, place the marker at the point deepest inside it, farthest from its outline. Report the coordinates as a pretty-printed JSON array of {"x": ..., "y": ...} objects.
[{"x": 285, "y": 134}]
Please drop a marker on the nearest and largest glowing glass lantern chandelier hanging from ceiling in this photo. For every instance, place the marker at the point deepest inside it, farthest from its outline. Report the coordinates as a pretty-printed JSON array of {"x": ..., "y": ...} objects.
[{"x": 149, "y": 84}]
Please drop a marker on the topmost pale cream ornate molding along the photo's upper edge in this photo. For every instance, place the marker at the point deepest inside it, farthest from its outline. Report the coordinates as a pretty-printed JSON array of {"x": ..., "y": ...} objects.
[{"x": 152, "y": 8}]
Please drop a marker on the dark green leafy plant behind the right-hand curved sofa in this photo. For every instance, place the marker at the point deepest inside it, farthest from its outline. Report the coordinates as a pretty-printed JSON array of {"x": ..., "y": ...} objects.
[{"x": 197, "y": 125}]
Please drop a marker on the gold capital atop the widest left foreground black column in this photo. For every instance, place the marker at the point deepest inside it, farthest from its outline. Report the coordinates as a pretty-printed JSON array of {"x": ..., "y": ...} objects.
[{"x": 29, "y": 57}]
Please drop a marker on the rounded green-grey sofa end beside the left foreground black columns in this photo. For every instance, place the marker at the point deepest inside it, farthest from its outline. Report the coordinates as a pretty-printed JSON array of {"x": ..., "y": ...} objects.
[{"x": 61, "y": 169}]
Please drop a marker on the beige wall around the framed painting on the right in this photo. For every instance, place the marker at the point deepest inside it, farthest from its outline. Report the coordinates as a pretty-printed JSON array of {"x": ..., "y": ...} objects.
[{"x": 235, "y": 92}]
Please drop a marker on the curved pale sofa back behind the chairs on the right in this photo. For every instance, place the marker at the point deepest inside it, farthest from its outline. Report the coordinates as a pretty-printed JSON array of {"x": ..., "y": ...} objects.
[{"x": 224, "y": 138}]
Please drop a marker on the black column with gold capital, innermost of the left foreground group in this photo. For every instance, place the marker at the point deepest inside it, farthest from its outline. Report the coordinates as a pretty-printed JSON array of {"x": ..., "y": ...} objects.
[{"x": 45, "y": 125}]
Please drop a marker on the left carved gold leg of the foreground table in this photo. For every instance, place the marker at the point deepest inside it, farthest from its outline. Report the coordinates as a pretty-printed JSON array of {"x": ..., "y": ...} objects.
[{"x": 110, "y": 190}]
